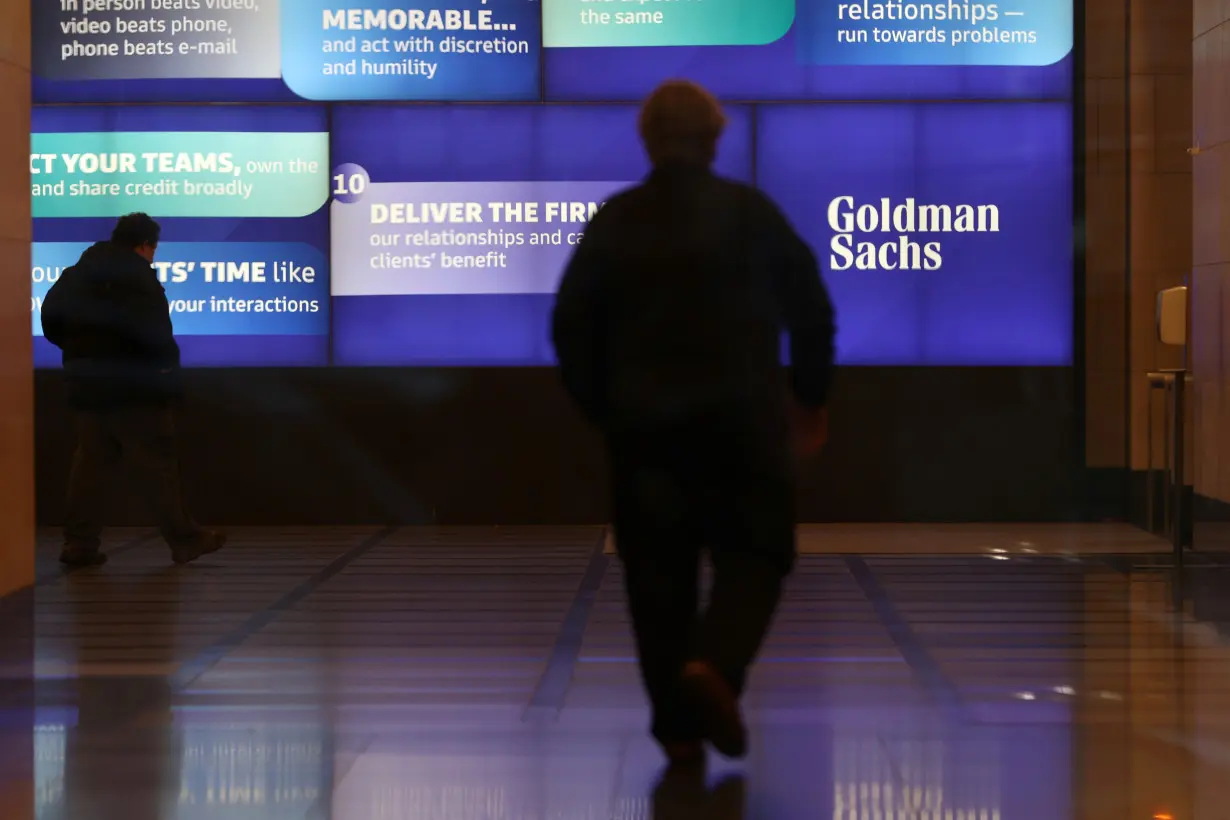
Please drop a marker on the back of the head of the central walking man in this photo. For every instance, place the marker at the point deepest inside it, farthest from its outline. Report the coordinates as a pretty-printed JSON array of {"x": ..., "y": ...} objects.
[{"x": 681, "y": 122}]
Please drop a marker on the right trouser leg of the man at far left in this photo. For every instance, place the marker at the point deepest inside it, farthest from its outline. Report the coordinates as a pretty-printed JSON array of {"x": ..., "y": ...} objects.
[{"x": 149, "y": 440}]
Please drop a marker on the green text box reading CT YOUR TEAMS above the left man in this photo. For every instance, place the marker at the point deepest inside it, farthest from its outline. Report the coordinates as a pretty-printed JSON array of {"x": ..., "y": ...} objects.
[{"x": 270, "y": 174}]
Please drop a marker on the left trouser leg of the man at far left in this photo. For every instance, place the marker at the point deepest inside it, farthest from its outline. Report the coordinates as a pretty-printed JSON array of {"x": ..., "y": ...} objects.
[{"x": 89, "y": 481}]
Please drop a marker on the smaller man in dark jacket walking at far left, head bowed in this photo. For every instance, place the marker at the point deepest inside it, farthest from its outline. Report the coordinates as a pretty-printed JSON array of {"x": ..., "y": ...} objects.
[{"x": 110, "y": 317}]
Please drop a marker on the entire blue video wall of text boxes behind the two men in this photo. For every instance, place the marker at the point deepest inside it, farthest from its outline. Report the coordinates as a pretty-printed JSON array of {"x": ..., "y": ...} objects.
[{"x": 324, "y": 202}]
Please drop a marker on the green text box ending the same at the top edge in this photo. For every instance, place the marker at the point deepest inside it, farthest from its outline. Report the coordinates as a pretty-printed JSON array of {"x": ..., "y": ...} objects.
[{"x": 571, "y": 24}]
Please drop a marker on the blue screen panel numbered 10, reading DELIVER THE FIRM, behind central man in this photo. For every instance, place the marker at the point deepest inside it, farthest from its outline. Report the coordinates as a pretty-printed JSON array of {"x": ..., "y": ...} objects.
[{"x": 450, "y": 254}]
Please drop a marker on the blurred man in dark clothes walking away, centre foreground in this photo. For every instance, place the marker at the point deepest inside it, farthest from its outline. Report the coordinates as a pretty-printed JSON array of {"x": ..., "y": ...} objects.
[{"x": 669, "y": 329}]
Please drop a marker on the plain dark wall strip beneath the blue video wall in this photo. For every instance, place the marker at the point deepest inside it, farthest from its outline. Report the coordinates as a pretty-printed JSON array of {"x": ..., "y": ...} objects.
[{"x": 504, "y": 447}]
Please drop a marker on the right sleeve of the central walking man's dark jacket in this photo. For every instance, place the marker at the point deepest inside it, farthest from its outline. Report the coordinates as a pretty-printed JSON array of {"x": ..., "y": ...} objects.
[{"x": 807, "y": 312}]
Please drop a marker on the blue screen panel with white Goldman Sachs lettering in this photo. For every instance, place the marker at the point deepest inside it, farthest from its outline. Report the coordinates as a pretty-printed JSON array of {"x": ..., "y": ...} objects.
[{"x": 945, "y": 231}]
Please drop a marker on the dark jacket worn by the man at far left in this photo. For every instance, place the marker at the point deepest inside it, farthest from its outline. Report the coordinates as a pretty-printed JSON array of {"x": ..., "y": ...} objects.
[{"x": 110, "y": 317}]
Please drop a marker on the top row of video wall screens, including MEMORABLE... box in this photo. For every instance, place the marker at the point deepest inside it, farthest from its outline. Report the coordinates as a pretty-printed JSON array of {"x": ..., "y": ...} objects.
[{"x": 489, "y": 51}]
